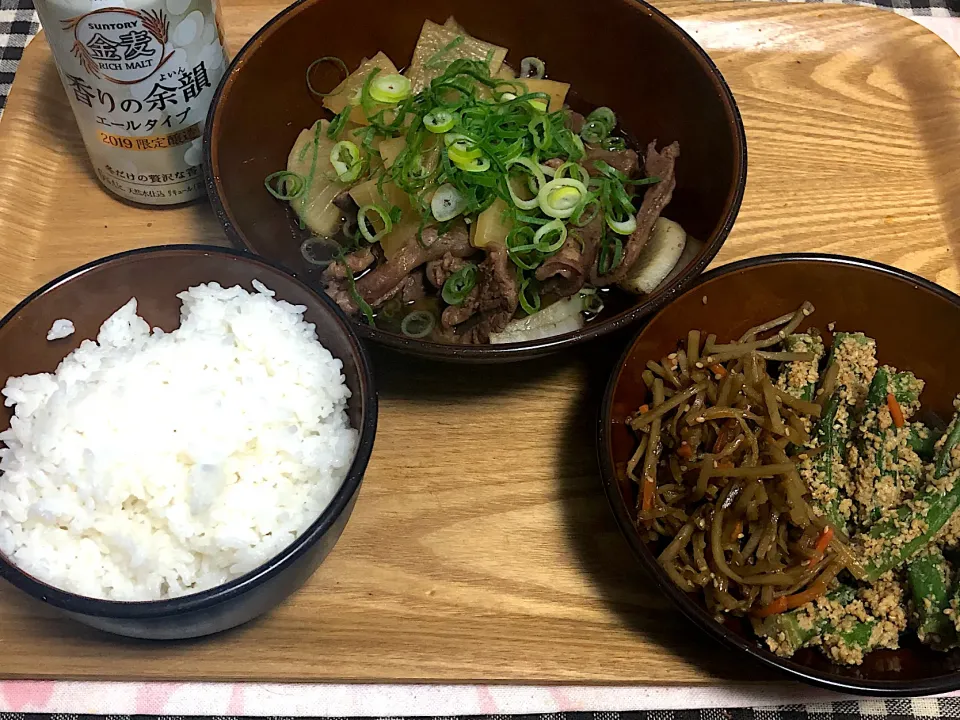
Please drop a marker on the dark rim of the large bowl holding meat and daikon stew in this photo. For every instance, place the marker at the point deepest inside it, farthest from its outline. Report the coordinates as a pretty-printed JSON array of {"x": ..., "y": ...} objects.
[{"x": 530, "y": 348}]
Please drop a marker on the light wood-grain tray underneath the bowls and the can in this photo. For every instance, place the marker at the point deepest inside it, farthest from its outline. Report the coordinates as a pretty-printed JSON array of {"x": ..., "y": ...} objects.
[{"x": 481, "y": 548}]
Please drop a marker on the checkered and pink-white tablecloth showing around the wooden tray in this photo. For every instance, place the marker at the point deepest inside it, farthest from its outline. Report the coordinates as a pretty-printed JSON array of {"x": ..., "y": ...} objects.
[{"x": 48, "y": 700}]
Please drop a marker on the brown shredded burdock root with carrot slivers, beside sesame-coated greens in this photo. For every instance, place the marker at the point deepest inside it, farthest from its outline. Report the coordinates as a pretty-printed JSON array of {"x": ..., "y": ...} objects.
[{"x": 717, "y": 477}]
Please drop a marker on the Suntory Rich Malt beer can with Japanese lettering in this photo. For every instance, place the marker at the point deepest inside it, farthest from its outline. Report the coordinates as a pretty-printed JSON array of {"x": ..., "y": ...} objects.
[{"x": 140, "y": 76}]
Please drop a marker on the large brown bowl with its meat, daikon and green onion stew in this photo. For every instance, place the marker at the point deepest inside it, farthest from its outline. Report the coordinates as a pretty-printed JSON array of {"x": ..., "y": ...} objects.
[{"x": 592, "y": 163}]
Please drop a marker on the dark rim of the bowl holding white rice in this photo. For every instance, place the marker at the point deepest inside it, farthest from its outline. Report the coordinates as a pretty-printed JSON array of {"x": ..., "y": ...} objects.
[{"x": 155, "y": 609}]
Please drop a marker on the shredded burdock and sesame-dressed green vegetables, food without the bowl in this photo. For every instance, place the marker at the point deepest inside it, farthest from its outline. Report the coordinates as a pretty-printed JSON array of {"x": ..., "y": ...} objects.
[{"x": 786, "y": 479}]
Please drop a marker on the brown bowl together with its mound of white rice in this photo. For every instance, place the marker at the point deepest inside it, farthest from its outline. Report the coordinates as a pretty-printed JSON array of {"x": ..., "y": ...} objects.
[{"x": 183, "y": 435}]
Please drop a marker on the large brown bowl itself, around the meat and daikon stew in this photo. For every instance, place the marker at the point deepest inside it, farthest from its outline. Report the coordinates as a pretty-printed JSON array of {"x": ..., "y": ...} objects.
[{"x": 620, "y": 53}]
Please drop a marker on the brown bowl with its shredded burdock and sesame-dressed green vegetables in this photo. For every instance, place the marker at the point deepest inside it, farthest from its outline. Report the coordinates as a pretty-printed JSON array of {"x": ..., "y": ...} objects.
[{"x": 784, "y": 498}]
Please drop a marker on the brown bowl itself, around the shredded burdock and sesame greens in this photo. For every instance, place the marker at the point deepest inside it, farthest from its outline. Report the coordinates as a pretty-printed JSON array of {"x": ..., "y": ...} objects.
[{"x": 917, "y": 327}]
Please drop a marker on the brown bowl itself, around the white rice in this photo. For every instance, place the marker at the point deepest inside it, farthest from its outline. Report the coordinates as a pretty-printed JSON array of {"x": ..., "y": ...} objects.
[{"x": 90, "y": 294}]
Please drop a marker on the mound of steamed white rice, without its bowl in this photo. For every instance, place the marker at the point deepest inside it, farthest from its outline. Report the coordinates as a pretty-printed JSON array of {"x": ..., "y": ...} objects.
[{"x": 153, "y": 464}]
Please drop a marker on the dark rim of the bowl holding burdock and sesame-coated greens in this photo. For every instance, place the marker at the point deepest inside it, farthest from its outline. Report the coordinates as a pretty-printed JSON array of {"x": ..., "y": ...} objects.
[{"x": 693, "y": 612}]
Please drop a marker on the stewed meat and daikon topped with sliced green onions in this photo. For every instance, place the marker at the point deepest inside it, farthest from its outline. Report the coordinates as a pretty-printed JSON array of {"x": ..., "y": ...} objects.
[{"x": 461, "y": 201}]
